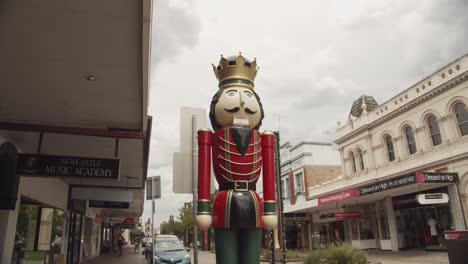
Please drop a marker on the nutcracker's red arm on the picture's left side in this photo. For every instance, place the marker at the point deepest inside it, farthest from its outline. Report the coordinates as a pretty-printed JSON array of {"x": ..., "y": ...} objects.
[{"x": 204, "y": 170}]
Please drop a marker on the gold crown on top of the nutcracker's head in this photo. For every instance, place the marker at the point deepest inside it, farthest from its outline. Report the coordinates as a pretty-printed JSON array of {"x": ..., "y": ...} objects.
[{"x": 236, "y": 71}]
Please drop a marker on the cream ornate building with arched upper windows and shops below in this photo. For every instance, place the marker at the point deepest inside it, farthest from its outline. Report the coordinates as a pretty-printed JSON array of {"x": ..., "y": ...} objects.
[{"x": 404, "y": 168}]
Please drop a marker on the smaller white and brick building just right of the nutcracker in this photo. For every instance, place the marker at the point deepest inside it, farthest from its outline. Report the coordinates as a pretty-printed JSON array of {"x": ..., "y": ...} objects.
[{"x": 303, "y": 166}]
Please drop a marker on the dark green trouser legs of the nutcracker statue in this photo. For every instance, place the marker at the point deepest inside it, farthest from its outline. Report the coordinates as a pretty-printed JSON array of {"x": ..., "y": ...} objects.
[{"x": 241, "y": 246}]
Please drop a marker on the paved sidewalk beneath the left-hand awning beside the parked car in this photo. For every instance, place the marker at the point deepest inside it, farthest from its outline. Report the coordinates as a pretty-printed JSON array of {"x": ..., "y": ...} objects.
[{"x": 129, "y": 256}]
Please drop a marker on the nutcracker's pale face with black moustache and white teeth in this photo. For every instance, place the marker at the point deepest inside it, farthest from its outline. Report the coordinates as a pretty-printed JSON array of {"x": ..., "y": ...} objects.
[{"x": 237, "y": 106}]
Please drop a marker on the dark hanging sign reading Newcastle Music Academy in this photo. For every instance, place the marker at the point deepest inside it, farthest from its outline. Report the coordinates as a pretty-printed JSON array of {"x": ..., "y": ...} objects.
[{"x": 67, "y": 167}]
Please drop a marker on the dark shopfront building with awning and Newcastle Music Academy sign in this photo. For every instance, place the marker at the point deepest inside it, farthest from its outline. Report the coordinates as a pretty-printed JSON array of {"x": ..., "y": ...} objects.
[{"x": 74, "y": 127}]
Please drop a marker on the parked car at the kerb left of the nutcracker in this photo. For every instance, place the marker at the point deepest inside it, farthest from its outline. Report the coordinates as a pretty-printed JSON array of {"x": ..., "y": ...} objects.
[{"x": 169, "y": 249}]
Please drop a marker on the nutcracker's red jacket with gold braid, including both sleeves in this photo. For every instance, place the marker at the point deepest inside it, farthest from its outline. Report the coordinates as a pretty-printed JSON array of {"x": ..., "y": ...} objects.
[{"x": 231, "y": 165}]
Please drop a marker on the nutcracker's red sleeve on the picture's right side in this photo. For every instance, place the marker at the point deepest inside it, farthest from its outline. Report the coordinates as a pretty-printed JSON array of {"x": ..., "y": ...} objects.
[{"x": 268, "y": 155}]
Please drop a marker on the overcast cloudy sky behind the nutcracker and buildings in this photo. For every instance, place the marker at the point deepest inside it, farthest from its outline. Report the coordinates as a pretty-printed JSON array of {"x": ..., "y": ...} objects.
[{"x": 315, "y": 58}]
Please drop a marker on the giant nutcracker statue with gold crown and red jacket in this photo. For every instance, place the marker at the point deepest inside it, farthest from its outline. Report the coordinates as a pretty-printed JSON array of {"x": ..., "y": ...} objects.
[{"x": 239, "y": 154}]
